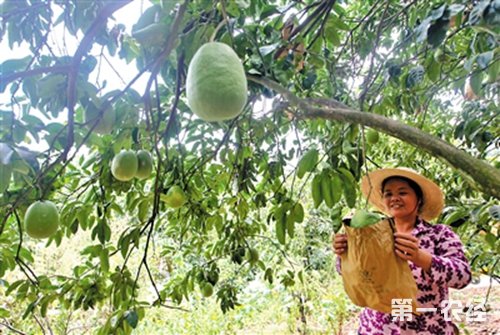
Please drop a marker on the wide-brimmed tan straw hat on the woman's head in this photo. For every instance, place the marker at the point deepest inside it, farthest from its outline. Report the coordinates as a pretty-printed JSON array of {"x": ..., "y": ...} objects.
[{"x": 432, "y": 194}]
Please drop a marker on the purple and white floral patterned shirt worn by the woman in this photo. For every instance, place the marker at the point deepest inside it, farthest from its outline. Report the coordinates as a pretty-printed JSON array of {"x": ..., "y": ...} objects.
[{"x": 449, "y": 268}]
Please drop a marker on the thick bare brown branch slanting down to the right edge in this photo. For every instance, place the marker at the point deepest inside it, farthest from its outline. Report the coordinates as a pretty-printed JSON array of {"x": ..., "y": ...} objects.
[{"x": 483, "y": 174}]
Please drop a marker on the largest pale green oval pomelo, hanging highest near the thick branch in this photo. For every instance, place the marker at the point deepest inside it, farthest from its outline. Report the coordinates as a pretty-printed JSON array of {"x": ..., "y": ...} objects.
[{"x": 216, "y": 85}]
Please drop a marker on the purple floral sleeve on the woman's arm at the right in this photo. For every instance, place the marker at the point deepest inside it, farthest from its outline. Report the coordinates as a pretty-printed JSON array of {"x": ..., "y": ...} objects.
[{"x": 449, "y": 265}]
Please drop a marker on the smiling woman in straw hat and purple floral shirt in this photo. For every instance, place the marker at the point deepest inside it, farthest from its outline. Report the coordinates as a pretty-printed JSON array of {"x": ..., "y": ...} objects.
[{"x": 434, "y": 252}]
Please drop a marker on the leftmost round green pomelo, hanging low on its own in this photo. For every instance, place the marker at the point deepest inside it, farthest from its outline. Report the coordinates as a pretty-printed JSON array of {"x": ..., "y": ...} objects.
[{"x": 41, "y": 219}]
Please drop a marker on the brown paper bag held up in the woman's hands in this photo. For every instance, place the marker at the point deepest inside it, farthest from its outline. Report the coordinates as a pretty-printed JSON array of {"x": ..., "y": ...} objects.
[{"x": 372, "y": 273}]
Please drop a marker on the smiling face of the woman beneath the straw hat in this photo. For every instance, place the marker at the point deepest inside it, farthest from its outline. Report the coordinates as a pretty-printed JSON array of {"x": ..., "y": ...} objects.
[{"x": 400, "y": 199}]
